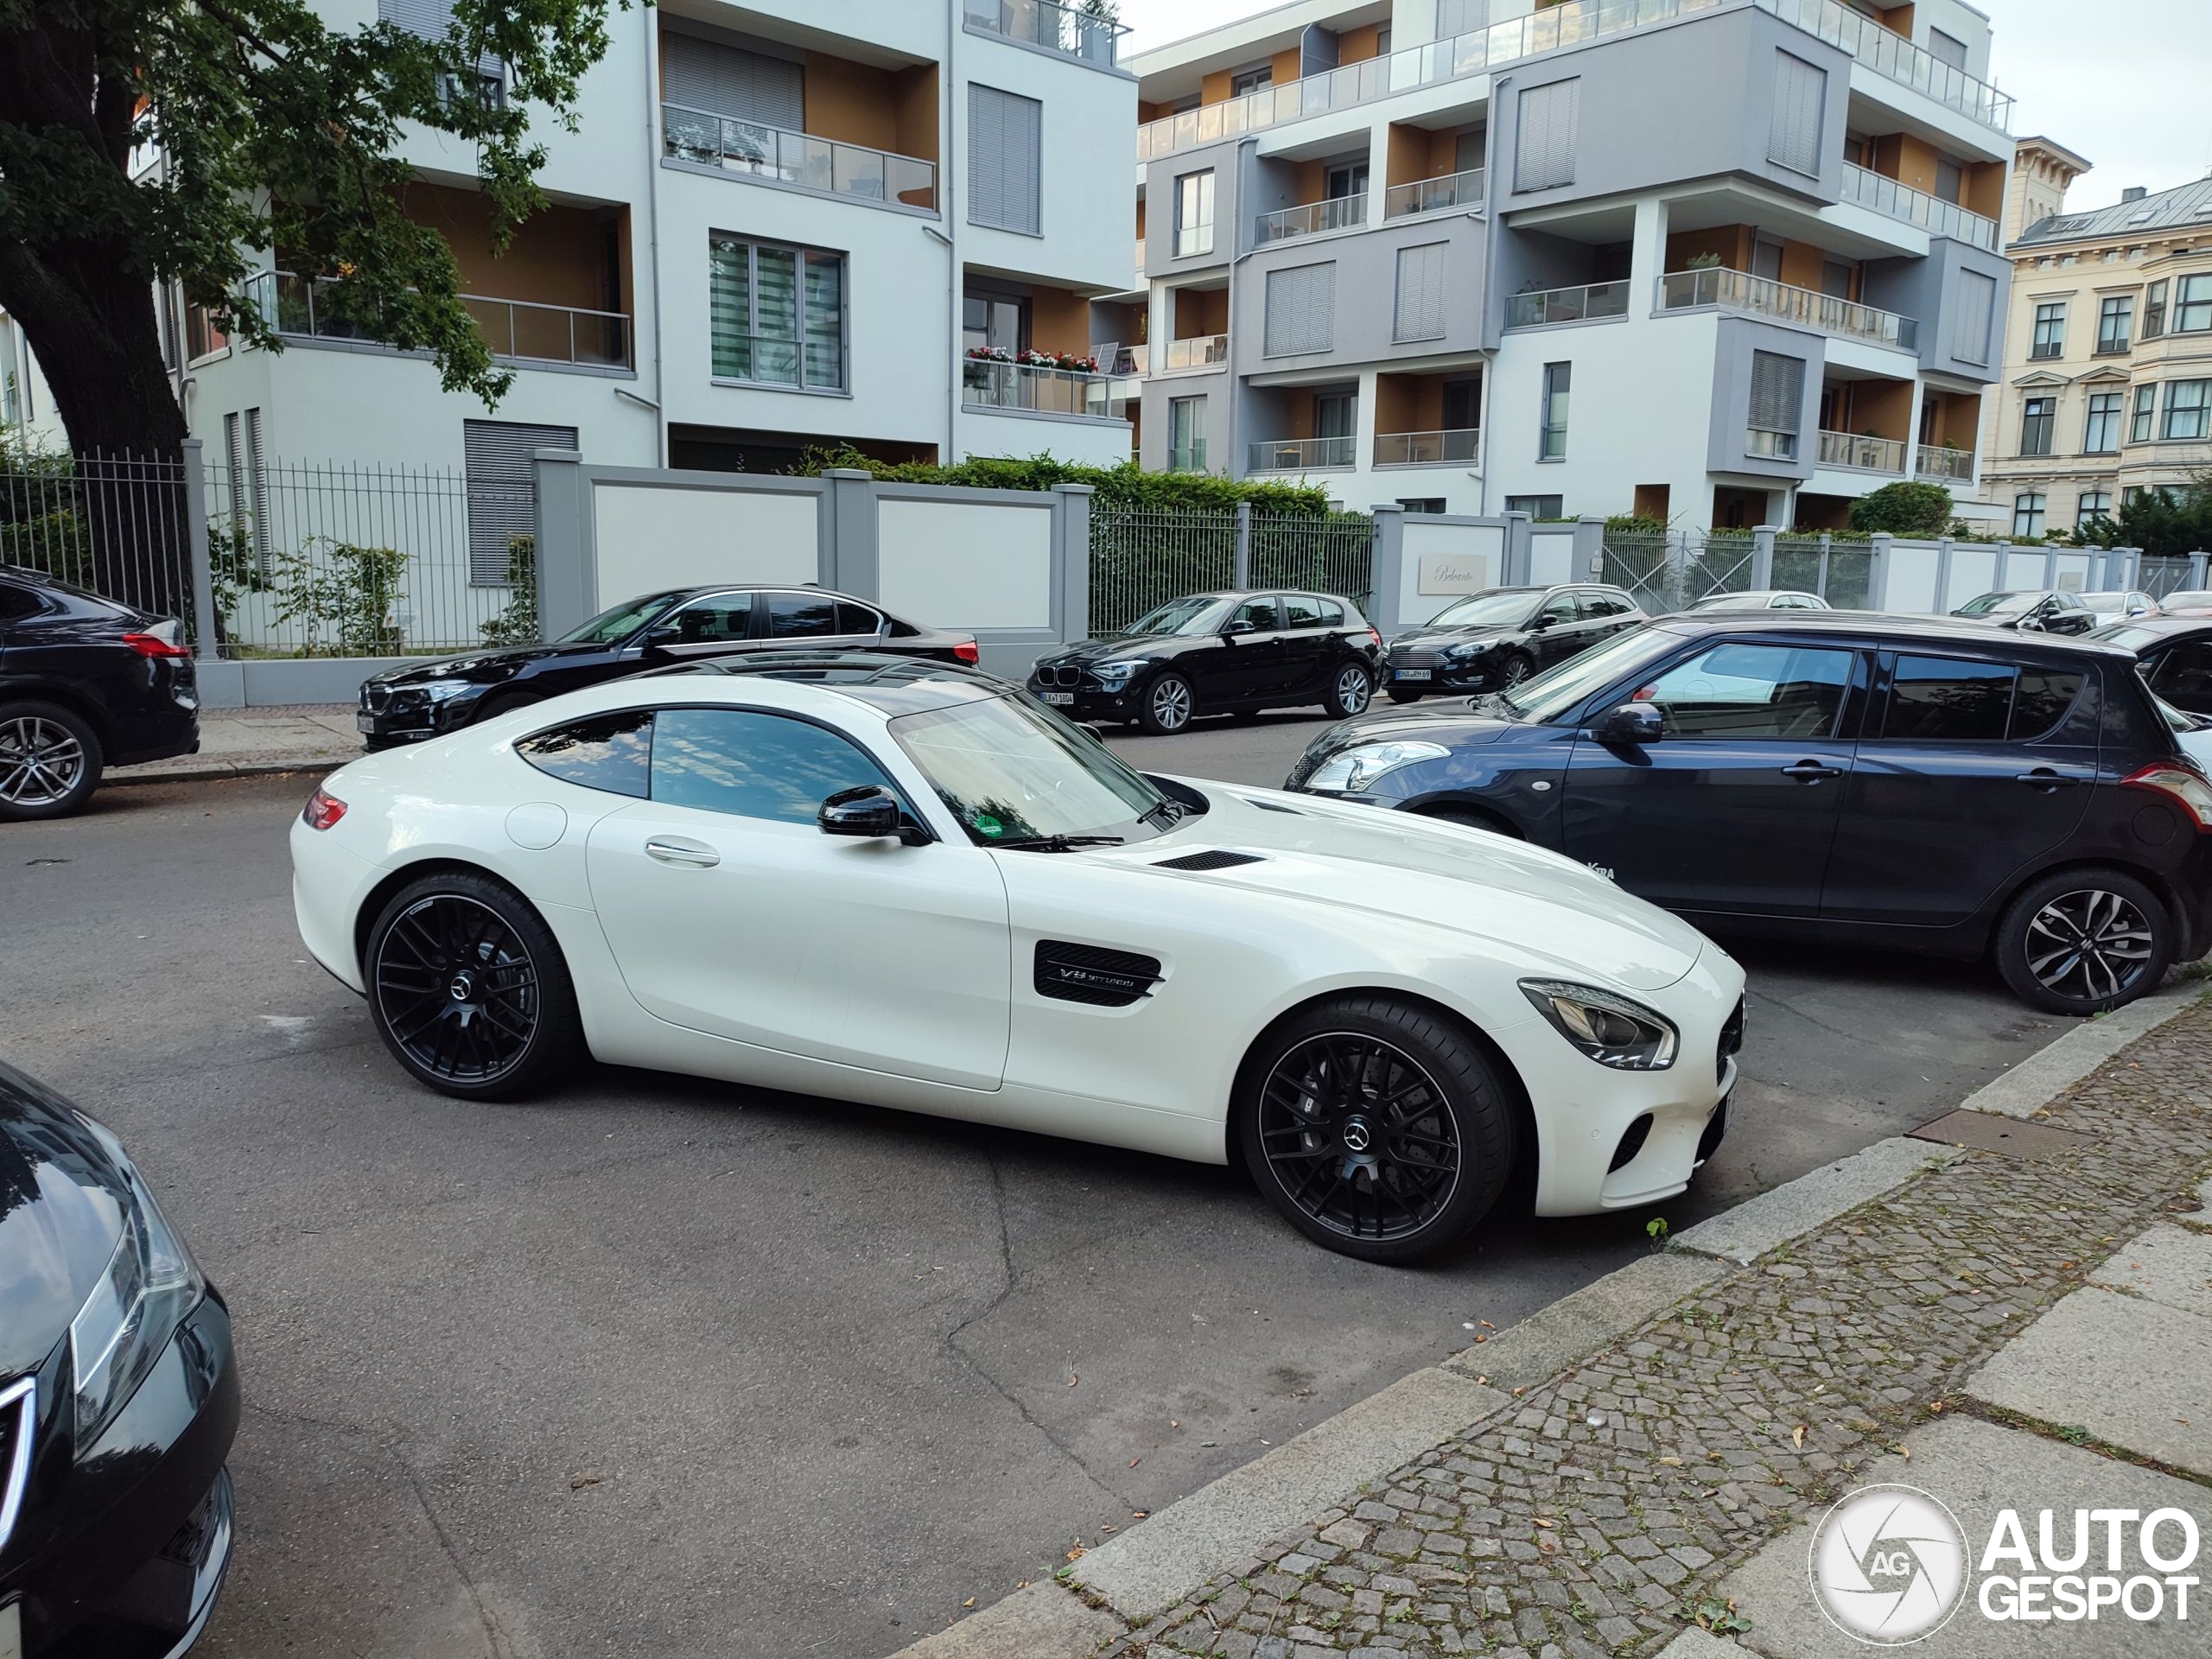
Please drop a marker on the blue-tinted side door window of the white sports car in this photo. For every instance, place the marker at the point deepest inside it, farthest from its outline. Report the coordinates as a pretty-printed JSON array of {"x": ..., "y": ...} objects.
[{"x": 753, "y": 766}]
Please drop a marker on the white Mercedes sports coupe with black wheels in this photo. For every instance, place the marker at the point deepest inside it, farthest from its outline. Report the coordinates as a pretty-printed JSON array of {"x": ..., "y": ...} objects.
[{"x": 912, "y": 886}]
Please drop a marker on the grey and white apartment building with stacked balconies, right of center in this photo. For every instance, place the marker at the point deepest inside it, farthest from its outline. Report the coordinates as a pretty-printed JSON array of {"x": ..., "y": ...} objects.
[{"x": 1720, "y": 262}]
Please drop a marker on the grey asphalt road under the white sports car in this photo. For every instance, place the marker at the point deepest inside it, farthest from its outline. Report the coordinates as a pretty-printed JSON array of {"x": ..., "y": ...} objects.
[{"x": 665, "y": 1368}]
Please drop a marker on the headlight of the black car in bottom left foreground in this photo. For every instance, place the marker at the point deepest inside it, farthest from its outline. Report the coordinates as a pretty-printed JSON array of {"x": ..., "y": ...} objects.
[{"x": 149, "y": 1286}]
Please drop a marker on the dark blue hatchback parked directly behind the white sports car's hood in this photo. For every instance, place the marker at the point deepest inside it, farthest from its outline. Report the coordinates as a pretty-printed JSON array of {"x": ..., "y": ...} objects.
[{"x": 1837, "y": 778}]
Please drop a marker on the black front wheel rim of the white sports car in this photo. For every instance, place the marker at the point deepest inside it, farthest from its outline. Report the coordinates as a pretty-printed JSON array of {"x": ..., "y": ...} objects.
[{"x": 1359, "y": 1138}]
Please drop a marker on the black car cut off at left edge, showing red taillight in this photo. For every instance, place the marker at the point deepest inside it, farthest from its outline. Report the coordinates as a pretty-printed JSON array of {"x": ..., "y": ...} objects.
[{"x": 85, "y": 685}]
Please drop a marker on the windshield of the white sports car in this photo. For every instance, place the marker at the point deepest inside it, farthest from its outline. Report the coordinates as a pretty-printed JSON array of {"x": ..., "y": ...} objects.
[{"x": 1016, "y": 771}]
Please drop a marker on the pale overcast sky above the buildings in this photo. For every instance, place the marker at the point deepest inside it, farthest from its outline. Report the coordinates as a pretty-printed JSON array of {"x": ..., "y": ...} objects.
[{"x": 2122, "y": 83}]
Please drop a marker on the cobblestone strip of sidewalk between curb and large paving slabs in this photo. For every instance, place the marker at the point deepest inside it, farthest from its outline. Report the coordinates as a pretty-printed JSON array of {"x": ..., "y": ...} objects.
[{"x": 1600, "y": 1516}]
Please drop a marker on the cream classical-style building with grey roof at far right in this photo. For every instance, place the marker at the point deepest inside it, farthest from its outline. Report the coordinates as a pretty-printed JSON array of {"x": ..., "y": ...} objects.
[{"x": 2107, "y": 351}]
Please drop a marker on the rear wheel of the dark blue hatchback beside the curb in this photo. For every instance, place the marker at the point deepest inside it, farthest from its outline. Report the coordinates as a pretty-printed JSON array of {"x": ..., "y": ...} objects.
[{"x": 2122, "y": 924}]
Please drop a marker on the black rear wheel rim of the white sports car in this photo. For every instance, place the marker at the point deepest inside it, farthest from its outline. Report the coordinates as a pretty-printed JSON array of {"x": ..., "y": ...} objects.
[{"x": 457, "y": 990}]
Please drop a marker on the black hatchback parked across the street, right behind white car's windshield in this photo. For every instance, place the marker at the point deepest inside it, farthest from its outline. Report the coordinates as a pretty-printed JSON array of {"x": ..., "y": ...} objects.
[{"x": 1218, "y": 654}]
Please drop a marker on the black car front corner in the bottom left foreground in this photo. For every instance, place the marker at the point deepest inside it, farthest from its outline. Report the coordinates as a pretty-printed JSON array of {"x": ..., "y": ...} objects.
[{"x": 118, "y": 1399}]
